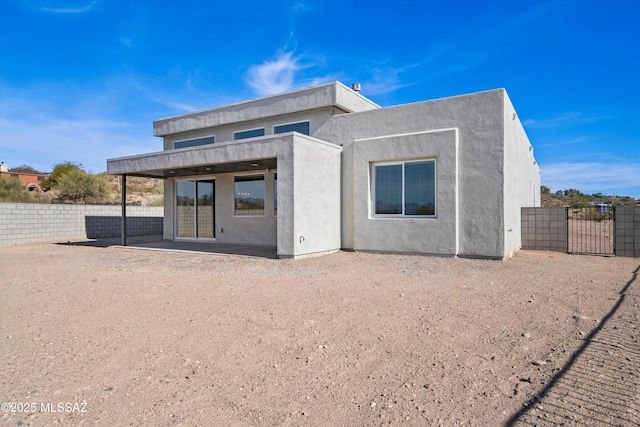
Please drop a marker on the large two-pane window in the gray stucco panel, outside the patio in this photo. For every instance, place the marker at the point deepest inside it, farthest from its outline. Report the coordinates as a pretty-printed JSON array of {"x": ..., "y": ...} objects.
[{"x": 404, "y": 189}]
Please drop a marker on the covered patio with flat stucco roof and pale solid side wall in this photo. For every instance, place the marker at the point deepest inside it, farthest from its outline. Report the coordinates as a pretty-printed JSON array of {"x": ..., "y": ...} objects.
[{"x": 300, "y": 219}]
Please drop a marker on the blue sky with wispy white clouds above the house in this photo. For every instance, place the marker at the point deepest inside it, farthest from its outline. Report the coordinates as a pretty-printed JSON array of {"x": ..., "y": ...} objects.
[{"x": 83, "y": 80}]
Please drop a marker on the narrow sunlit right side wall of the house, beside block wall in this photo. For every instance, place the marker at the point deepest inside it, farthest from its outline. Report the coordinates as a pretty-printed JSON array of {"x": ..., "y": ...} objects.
[{"x": 521, "y": 177}]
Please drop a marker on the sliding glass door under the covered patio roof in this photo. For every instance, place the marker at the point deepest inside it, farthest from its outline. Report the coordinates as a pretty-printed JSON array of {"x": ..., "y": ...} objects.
[{"x": 195, "y": 209}]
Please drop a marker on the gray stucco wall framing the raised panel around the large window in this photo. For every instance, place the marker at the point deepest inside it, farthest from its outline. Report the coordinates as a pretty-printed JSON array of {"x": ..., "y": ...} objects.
[{"x": 479, "y": 119}]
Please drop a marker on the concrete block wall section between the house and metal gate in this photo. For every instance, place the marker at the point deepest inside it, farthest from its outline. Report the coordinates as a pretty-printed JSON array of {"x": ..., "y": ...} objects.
[{"x": 544, "y": 229}]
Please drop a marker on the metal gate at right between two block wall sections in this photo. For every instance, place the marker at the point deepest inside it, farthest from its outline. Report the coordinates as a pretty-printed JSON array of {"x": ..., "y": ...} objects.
[{"x": 591, "y": 230}]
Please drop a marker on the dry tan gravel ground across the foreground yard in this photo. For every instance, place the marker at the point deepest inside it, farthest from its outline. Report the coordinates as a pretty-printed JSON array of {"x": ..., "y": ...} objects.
[{"x": 350, "y": 339}]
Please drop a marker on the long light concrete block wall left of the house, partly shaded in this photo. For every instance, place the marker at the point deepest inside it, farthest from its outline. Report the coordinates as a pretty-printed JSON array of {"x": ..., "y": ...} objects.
[{"x": 22, "y": 223}]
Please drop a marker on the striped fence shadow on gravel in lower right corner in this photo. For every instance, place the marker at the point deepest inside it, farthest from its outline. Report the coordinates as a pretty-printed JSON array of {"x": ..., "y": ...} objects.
[{"x": 599, "y": 385}]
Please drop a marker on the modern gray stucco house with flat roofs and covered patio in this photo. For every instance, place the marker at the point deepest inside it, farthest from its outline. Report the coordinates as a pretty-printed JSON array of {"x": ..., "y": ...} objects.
[{"x": 324, "y": 168}]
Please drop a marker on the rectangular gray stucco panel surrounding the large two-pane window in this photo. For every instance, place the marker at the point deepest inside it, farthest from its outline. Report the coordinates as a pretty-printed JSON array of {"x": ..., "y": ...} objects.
[{"x": 436, "y": 235}]
